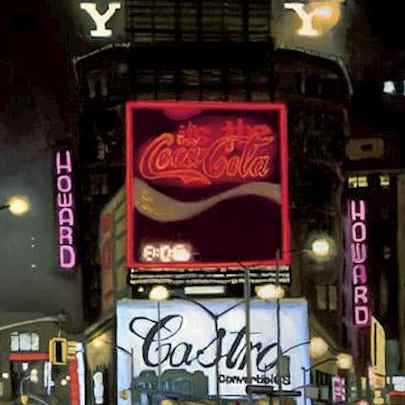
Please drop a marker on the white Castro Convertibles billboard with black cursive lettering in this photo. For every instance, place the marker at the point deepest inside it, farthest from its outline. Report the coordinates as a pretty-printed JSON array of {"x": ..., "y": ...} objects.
[{"x": 194, "y": 354}]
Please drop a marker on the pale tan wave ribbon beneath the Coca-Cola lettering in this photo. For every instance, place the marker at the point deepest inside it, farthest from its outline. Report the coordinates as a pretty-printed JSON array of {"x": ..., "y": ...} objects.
[{"x": 159, "y": 207}]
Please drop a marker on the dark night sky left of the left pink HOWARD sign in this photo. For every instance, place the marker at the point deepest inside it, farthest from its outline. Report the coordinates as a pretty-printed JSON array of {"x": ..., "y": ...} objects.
[{"x": 34, "y": 111}]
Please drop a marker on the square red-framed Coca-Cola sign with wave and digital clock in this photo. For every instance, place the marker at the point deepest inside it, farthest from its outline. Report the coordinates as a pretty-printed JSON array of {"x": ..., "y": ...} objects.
[{"x": 207, "y": 182}]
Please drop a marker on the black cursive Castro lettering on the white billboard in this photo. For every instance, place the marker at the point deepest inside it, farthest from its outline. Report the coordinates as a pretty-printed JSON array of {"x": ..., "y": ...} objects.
[{"x": 178, "y": 354}]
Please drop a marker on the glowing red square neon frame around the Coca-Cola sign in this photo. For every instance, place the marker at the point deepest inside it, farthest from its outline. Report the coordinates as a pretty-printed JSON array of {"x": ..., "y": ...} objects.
[{"x": 285, "y": 258}]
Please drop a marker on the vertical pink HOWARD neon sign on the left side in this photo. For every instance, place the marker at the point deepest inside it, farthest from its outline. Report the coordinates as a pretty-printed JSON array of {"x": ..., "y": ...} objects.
[{"x": 65, "y": 210}]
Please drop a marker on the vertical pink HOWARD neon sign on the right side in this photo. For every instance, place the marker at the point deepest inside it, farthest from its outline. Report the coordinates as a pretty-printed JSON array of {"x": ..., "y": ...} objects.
[{"x": 359, "y": 262}]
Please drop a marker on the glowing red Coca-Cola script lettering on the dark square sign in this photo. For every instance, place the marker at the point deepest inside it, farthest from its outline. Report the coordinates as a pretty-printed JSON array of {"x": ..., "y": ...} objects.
[{"x": 197, "y": 156}]
